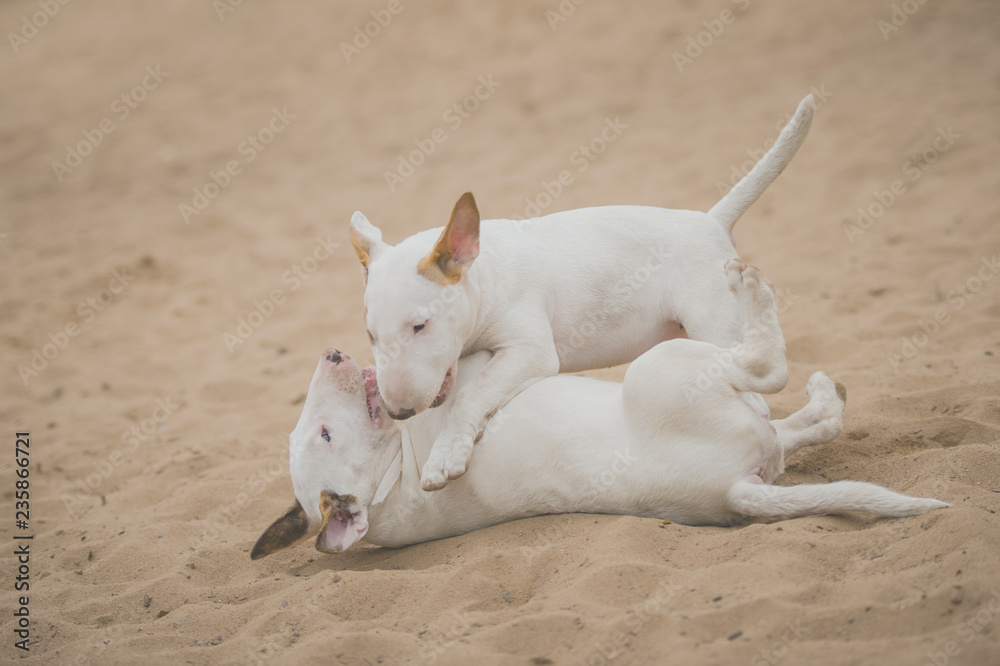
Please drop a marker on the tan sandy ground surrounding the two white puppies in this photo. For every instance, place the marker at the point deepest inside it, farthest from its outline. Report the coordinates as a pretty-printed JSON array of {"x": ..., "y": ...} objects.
[{"x": 141, "y": 548}]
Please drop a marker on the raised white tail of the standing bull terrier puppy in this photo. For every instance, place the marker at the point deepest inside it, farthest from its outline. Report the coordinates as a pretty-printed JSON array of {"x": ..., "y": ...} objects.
[{"x": 745, "y": 192}]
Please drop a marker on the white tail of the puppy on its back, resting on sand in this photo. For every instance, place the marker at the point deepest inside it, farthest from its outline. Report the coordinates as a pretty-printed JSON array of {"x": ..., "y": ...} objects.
[{"x": 764, "y": 501}]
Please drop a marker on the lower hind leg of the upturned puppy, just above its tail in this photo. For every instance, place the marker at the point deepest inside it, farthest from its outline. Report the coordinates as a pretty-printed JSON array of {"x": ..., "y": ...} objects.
[{"x": 819, "y": 421}]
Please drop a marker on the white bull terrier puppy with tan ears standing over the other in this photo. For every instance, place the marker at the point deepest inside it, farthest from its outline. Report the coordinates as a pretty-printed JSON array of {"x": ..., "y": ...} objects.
[{"x": 571, "y": 291}]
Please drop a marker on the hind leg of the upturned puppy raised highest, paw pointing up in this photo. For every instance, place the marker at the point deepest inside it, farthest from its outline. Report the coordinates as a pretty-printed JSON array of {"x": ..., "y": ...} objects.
[{"x": 758, "y": 362}]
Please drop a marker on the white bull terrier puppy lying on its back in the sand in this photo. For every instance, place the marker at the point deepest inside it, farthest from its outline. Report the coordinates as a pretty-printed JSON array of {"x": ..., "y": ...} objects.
[{"x": 701, "y": 456}]
